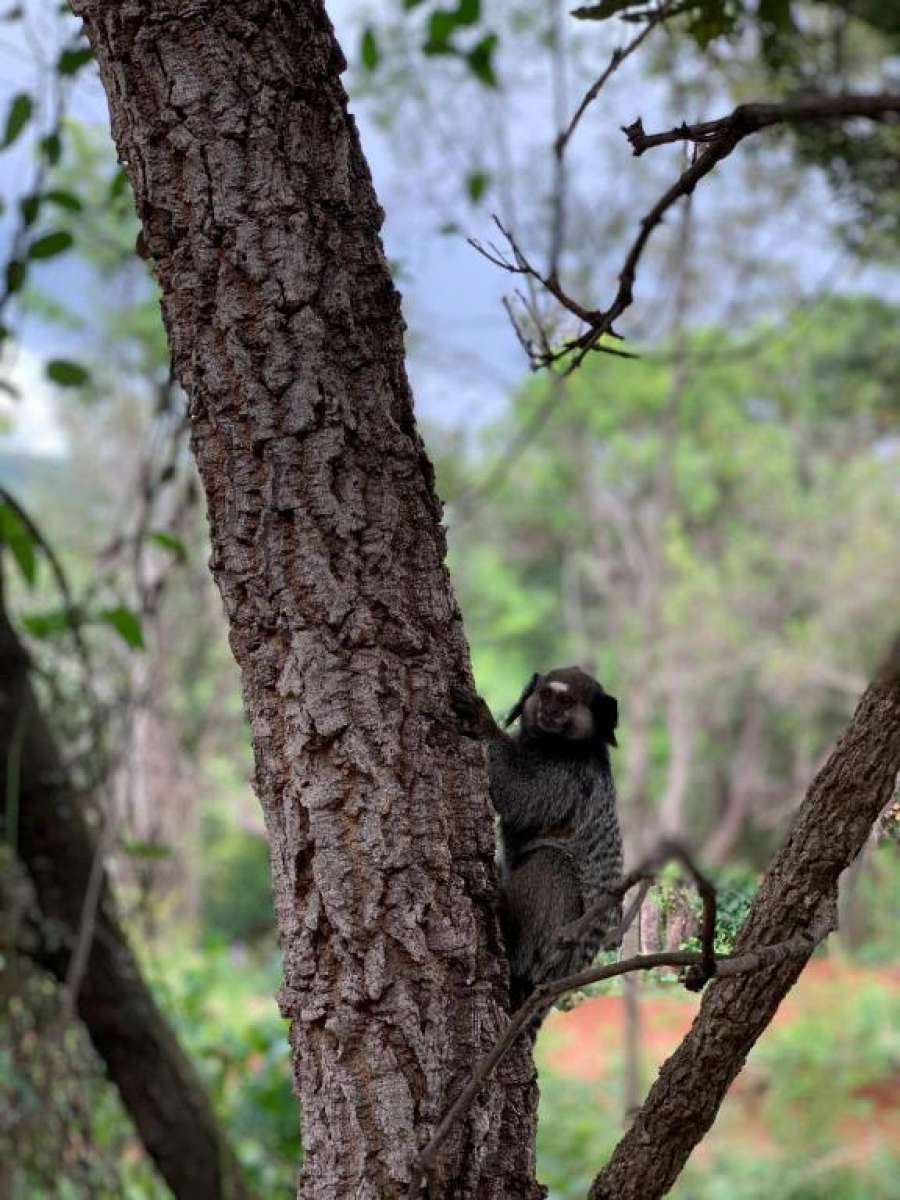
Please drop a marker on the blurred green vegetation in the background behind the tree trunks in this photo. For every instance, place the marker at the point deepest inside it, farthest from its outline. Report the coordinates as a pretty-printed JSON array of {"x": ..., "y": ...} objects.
[{"x": 712, "y": 530}]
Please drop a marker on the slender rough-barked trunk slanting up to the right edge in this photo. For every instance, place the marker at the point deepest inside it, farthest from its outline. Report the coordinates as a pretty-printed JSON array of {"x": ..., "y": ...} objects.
[{"x": 799, "y": 893}]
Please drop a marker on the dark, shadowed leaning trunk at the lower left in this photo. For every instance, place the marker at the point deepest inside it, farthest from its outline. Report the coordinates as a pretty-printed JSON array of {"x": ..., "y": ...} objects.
[{"x": 158, "y": 1083}]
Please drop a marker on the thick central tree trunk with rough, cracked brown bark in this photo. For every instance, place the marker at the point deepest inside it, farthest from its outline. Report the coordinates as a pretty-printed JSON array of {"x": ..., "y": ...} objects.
[{"x": 260, "y": 215}]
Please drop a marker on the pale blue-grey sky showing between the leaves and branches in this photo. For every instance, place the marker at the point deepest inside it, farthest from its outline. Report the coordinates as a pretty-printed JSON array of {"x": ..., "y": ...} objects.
[{"x": 464, "y": 357}]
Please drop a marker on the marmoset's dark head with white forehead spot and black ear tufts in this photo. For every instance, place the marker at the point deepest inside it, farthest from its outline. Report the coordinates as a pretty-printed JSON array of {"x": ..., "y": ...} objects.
[{"x": 567, "y": 705}]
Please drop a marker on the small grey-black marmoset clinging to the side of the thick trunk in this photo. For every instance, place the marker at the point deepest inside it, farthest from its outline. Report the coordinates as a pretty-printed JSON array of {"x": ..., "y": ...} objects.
[{"x": 553, "y": 787}]
